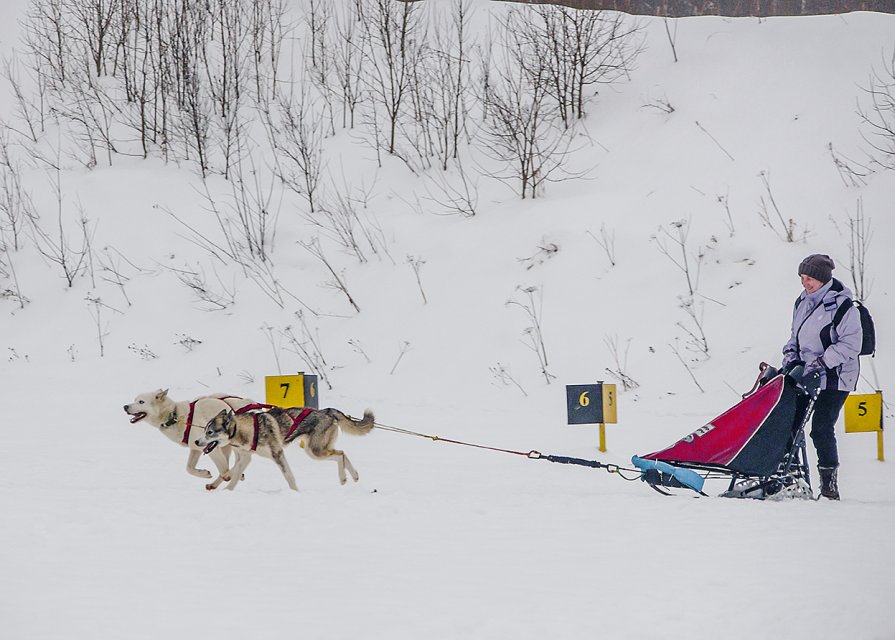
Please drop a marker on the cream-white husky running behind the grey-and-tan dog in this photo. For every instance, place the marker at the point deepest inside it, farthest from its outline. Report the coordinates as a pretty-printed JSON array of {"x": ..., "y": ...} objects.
[{"x": 180, "y": 421}]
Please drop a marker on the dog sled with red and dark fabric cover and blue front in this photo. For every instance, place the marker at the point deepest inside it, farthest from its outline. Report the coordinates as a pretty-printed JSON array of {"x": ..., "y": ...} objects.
[{"x": 757, "y": 446}]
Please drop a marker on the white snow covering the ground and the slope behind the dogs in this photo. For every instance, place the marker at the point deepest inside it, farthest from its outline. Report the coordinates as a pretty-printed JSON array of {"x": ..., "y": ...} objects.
[{"x": 104, "y": 535}]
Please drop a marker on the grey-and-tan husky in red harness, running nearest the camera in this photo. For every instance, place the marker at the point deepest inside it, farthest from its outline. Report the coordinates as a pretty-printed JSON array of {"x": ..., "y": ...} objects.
[{"x": 268, "y": 433}]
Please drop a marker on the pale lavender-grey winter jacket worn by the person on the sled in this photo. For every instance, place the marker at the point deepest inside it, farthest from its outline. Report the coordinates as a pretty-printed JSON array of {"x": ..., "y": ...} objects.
[{"x": 814, "y": 336}]
